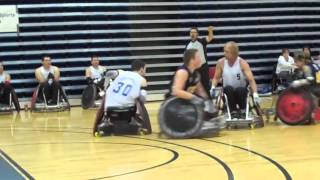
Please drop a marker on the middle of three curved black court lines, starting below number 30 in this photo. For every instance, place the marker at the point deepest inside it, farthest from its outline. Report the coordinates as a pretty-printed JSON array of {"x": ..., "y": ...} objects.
[{"x": 224, "y": 165}]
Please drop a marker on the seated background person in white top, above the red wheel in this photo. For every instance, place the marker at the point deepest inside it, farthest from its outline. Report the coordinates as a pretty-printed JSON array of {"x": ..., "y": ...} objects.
[{"x": 285, "y": 62}]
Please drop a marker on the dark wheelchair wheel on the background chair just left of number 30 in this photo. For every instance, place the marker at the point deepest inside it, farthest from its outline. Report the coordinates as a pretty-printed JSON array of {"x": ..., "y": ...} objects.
[{"x": 88, "y": 96}]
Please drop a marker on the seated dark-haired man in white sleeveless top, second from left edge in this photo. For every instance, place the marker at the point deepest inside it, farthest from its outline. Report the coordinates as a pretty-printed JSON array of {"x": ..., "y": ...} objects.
[{"x": 48, "y": 77}]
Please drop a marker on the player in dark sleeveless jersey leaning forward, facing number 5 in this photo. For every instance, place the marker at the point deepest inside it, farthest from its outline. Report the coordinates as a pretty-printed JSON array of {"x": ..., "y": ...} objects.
[{"x": 186, "y": 83}]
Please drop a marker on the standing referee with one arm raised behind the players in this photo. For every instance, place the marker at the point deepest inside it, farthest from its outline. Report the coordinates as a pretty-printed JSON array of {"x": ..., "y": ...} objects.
[{"x": 201, "y": 45}]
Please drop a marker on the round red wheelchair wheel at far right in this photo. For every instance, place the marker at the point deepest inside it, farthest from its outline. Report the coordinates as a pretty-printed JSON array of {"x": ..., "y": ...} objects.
[{"x": 295, "y": 106}]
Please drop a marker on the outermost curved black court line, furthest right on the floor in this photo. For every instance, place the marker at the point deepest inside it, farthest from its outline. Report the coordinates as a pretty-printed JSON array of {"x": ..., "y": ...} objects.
[{"x": 281, "y": 168}]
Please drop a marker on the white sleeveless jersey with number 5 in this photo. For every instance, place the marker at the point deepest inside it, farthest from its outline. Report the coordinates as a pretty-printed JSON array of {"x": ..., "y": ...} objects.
[{"x": 233, "y": 76}]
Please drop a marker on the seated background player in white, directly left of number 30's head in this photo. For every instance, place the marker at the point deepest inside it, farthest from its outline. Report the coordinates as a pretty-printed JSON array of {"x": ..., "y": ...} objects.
[{"x": 94, "y": 73}]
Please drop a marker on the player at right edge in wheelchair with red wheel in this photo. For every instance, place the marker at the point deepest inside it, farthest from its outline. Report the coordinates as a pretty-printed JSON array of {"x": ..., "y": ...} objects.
[{"x": 296, "y": 105}]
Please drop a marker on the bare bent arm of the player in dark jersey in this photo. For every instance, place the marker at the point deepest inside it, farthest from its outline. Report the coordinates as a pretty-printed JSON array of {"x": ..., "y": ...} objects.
[{"x": 178, "y": 84}]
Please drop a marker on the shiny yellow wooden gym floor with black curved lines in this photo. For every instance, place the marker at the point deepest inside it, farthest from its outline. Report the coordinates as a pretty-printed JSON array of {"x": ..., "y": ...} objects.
[{"x": 60, "y": 146}]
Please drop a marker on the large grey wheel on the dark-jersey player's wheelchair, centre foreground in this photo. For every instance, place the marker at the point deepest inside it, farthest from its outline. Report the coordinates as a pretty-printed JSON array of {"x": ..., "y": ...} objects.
[{"x": 180, "y": 118}]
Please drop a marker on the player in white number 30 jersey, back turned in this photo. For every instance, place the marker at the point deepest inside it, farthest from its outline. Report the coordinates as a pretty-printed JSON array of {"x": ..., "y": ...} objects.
[{"x": 127, "y": 86}]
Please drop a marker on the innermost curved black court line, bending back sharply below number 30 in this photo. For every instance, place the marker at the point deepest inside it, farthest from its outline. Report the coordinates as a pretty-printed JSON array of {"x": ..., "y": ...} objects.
[{"x": 174, "y": 157}]
